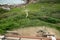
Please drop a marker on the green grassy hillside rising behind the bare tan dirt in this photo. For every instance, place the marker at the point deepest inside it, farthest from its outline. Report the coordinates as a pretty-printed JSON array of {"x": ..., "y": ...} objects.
[{"x": 39, "y": 14}]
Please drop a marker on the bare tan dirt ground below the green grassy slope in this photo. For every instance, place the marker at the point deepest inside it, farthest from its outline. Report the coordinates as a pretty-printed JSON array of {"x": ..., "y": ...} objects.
[{"x": 31, "y": 31}]
